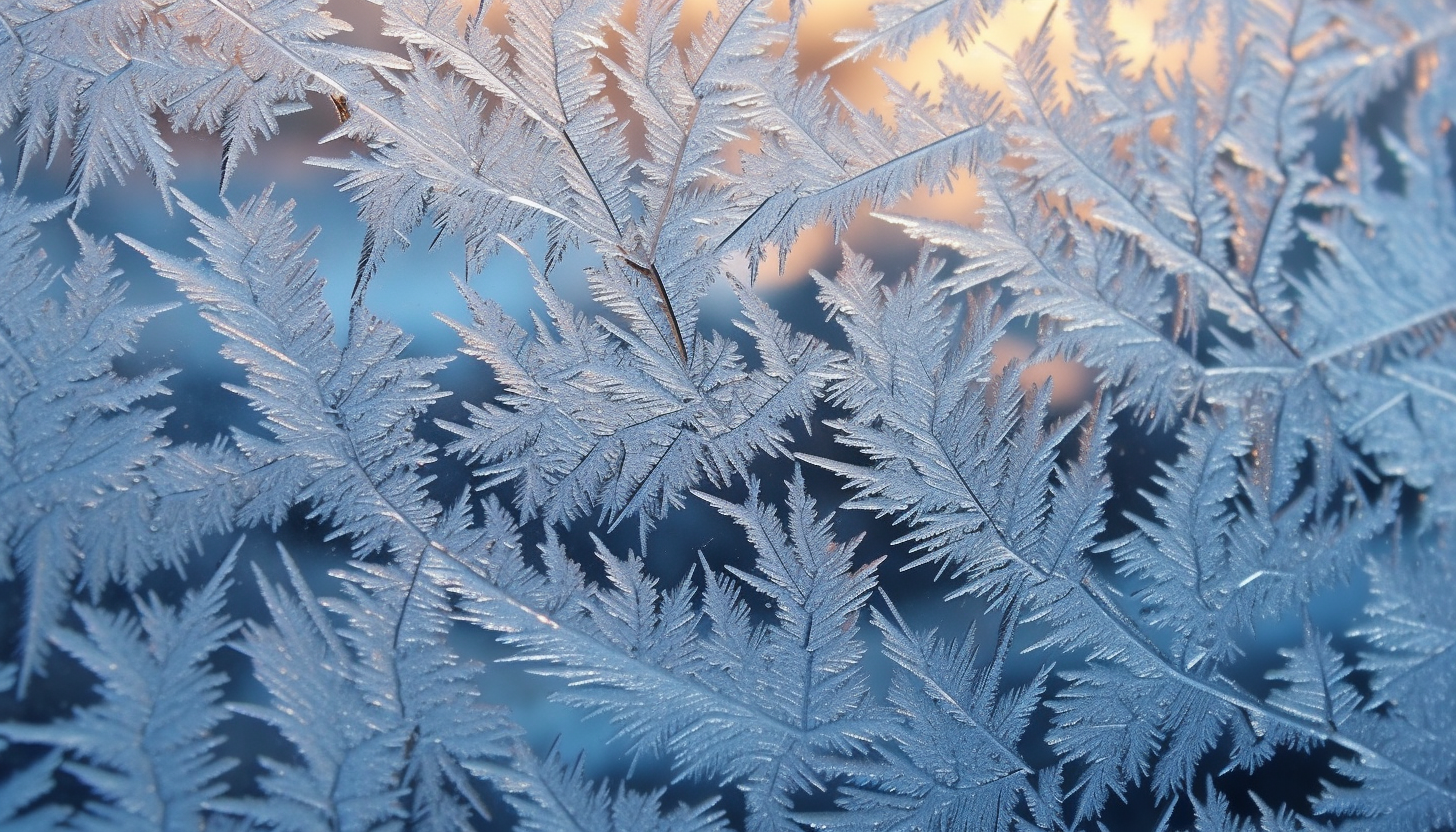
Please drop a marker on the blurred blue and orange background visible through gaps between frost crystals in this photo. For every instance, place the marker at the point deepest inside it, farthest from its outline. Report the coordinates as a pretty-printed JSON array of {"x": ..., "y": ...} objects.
[{"x": 416, "y": 288}]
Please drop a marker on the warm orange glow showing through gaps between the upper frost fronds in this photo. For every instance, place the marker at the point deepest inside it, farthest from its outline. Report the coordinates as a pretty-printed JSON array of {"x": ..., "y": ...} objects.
[{"x": 982, "y": 63}]
